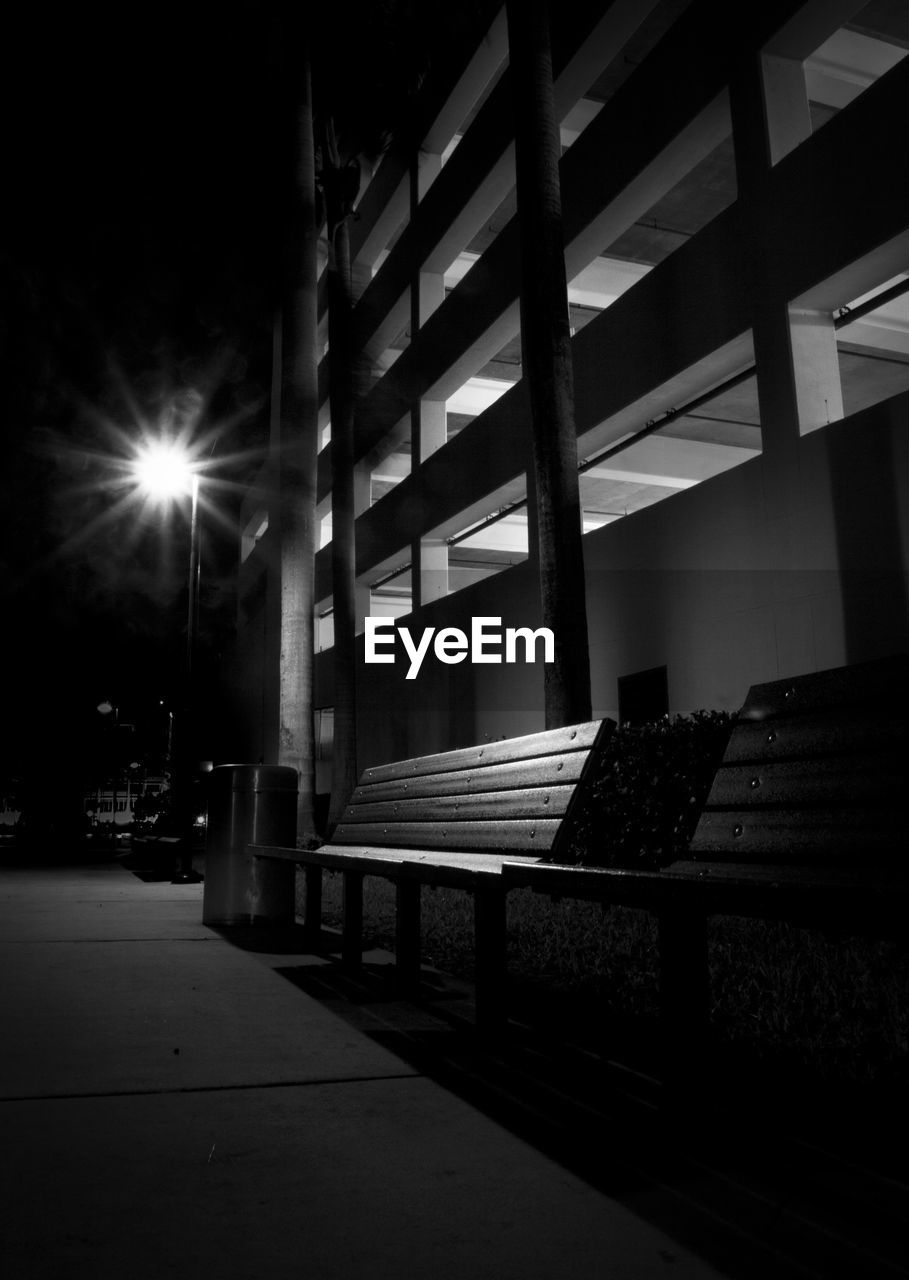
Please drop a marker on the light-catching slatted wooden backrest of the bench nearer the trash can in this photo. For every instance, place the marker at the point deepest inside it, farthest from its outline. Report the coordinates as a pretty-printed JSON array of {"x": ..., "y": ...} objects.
[{"x": 513, "y": 796}]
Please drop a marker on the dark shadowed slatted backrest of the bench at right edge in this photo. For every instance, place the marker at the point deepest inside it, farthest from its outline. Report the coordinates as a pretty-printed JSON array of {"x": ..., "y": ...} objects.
[{"x": 815, "y": 776}]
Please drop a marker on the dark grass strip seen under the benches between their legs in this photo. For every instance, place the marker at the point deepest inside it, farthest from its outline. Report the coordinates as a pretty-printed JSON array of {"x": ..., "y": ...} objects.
[{"x": 833, "y": 1009}]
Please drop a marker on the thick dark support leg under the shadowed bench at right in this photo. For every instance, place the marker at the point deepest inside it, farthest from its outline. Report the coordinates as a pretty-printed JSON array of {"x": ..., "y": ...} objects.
[{"x": 684, "y": 998}]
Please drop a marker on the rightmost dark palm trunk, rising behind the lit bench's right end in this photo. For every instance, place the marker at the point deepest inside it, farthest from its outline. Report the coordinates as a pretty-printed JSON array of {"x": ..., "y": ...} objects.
[{"x": 546, "y": 341}]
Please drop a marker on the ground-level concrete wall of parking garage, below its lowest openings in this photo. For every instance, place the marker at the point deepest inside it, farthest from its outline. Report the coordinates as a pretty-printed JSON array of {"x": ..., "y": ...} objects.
[{"x": 721, "y": 584}]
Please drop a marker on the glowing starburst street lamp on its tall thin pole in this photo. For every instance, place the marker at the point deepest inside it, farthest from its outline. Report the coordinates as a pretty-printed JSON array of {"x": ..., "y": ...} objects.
[{"x": 166, "y": 472}]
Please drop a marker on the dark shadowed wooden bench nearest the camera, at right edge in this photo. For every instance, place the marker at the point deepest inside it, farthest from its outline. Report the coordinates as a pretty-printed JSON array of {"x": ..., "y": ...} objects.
[{"x": 806, "y": 824}]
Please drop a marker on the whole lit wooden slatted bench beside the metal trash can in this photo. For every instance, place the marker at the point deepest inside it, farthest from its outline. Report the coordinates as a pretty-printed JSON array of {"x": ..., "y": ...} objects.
[{"x": 453, "y": 820}]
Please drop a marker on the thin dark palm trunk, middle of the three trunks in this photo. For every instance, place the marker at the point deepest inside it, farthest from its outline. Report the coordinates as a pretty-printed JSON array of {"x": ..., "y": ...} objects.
[{"x": 344, "y": 516}]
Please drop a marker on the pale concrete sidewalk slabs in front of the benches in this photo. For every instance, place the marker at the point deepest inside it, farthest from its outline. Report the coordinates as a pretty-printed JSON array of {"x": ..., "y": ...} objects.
[{"x": 172, "y": 1107}]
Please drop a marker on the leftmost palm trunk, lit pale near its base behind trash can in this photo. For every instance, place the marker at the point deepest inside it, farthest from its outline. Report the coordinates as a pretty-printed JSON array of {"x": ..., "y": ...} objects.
[{"x": 299, "y": 451}]
